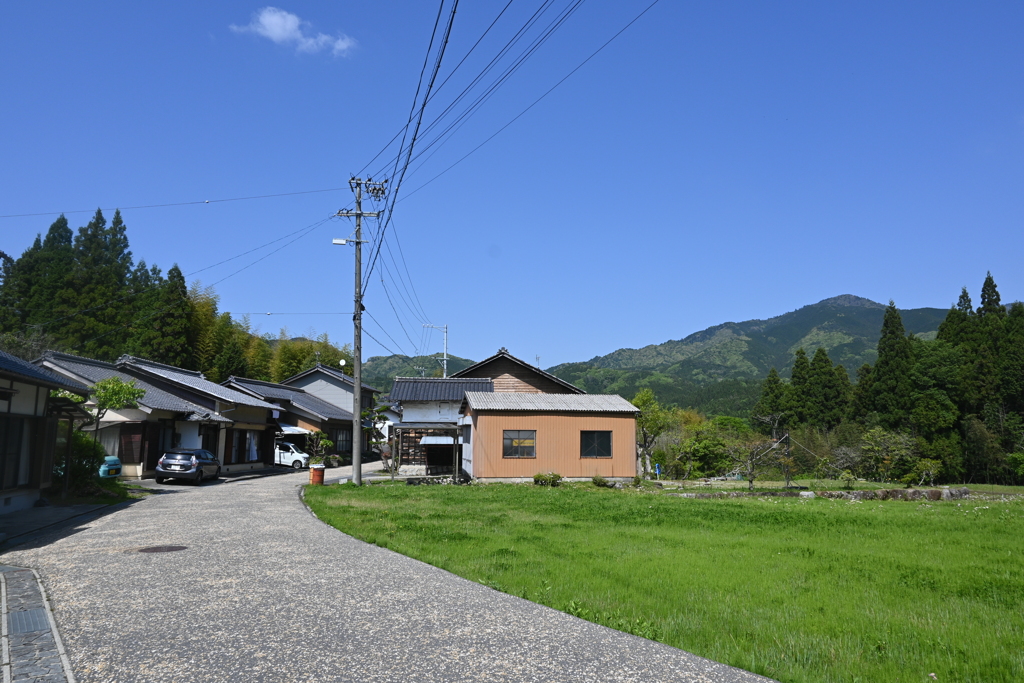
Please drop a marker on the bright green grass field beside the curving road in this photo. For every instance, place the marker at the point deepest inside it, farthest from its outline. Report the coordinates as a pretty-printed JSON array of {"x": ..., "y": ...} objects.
[{"x": 798, "y": 590}]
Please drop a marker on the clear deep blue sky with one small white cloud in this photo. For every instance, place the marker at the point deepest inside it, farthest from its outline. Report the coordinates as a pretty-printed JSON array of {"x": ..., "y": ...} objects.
[{"x": 717, "y": 162}]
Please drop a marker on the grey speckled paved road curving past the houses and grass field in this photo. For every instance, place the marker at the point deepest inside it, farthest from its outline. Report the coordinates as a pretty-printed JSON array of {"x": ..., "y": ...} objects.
[{"x": 266, "y": 592}]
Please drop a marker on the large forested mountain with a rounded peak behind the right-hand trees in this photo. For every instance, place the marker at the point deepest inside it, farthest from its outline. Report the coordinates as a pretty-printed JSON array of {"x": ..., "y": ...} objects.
[{"x": 718, "y": 370}]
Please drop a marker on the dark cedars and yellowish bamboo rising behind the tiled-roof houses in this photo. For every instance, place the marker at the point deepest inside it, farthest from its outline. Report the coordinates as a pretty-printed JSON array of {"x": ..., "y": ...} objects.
[{"x": 83, "y": 293}]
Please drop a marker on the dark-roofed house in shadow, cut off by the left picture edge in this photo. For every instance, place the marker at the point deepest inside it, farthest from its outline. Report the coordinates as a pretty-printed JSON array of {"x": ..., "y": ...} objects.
[{"x": 30, "y": 421}]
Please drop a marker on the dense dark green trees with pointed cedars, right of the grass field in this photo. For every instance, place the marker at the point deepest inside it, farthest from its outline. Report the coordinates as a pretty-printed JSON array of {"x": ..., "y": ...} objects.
[{"x": 950, "y": 409}]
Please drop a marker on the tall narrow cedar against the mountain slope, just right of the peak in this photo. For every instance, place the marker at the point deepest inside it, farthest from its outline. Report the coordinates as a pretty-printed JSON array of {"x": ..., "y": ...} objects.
[{"x": 889, "y": 397}]
